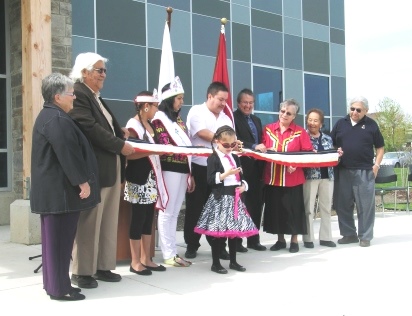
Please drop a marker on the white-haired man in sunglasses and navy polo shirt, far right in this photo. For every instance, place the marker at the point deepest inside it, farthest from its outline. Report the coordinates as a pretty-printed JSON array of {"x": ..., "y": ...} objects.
[{"x": 358, "y": 135}]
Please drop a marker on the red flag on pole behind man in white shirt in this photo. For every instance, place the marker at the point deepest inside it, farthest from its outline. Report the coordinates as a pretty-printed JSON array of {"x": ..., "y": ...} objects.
[{"x": 220, "y": 73}]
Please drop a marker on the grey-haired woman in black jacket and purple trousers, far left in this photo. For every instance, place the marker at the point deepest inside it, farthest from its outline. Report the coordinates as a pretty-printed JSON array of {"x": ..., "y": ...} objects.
[{"x": 64, "y": 182}]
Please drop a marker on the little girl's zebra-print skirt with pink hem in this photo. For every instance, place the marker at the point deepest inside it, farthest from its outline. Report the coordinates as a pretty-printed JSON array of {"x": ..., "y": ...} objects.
[{"x": 218, "y": 219}]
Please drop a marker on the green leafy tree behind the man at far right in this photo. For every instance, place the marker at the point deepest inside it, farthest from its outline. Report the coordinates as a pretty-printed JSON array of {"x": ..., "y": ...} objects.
[{"x": 394, "y": 124}]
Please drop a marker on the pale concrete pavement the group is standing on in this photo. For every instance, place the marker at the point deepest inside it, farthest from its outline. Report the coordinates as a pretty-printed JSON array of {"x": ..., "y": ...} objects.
[{"x": 346, "y": 280}]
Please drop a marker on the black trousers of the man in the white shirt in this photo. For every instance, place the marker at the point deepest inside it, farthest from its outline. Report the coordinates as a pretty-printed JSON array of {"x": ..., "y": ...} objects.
[{"x": 194, "y": 206}]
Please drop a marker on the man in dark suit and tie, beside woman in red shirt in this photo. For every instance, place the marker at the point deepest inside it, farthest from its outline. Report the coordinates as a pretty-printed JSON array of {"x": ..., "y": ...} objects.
[{"x": 249, "y": 131}]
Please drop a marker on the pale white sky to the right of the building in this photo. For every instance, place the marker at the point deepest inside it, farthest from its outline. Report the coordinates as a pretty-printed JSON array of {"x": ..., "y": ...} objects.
[{"x": 378, "y": 40}]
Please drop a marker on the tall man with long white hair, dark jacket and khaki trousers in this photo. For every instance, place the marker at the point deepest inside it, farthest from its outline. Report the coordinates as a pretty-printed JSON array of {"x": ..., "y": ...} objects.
[{"x": 94, "y": 251}]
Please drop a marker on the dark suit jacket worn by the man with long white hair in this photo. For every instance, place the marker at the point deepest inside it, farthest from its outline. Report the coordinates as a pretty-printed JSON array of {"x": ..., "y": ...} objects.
[{"x": 106, "y": 145}]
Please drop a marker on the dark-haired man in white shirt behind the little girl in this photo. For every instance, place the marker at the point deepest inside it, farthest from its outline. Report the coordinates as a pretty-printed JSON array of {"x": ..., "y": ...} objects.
[{"x": 202, "y": 121}]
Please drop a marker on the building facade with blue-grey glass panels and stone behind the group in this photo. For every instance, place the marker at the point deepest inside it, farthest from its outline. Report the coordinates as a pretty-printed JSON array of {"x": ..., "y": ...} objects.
[{"x": 280, "y": 49}]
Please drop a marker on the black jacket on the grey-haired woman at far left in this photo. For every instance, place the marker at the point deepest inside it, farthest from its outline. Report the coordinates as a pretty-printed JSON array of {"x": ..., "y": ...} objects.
[{"x": 62, "y": 158}]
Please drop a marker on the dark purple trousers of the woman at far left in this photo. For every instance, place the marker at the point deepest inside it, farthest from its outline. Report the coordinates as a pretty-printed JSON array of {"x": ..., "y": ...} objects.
[{"x": 57, "y": 237}]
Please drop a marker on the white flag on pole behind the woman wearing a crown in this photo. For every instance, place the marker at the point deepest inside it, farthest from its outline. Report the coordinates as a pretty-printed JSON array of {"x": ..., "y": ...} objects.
[{"x": 167, "y": 64}]
